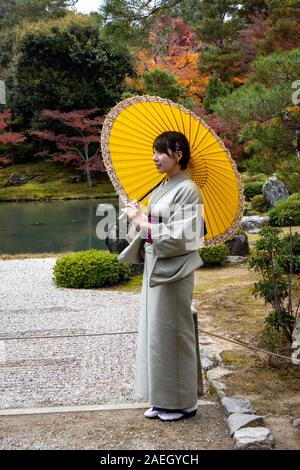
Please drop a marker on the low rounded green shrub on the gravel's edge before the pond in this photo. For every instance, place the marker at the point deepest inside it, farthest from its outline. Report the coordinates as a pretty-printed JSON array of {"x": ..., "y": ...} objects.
[{"x": 88, "y": 269}]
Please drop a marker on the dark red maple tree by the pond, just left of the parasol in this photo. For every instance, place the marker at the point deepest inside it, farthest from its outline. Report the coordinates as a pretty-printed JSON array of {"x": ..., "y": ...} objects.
[{"x": 79, "y": 147}]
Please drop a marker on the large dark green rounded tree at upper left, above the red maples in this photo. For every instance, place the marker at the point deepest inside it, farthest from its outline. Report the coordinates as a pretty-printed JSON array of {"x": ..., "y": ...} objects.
[{"x": 65, "y": 64}]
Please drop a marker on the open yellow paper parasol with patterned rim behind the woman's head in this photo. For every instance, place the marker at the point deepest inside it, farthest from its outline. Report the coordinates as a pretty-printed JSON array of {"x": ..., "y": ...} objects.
[{"x": 127, "y": 139}]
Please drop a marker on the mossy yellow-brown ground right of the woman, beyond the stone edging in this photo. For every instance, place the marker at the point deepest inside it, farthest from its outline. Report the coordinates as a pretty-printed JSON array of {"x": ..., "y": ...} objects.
[{"x": 227, "y": 307}]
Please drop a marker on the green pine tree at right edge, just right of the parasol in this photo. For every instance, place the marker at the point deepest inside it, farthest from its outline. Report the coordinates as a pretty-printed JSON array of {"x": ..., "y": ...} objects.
[{"x": 263, "y": 111}]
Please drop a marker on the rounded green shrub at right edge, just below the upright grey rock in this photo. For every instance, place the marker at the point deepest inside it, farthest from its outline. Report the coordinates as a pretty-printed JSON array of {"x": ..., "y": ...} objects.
[{"x": 286, "y": 212}]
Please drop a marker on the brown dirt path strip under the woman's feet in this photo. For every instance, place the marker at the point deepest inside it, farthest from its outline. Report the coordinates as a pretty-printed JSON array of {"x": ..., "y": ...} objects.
[{"x": 118, "y": 430}]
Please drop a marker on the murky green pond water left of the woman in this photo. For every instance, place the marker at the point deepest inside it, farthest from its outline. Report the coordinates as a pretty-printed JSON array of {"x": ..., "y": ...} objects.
[{"x": 56, "y": 226}]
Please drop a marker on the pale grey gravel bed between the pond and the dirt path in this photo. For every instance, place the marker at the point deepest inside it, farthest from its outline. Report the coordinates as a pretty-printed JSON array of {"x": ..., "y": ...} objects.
[{"x": 63, "y": 371}]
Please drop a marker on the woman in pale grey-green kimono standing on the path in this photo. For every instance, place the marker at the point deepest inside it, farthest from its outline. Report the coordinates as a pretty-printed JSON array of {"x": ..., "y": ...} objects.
[{"x": 168, "y": 240}]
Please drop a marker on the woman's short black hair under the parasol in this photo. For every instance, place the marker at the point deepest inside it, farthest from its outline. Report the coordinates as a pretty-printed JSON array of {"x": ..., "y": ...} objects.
[{"x": 171, "y": 141}]
